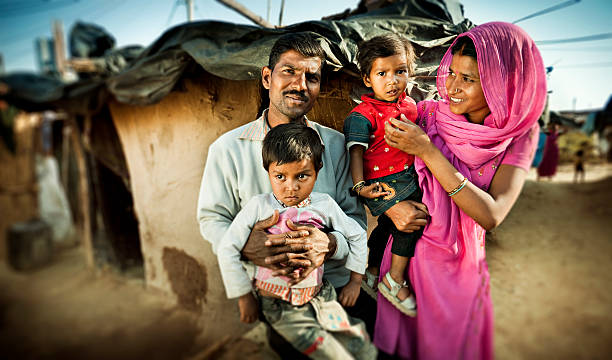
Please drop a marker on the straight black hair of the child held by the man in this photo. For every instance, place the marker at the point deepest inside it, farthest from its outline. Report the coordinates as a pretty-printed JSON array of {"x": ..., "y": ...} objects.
[{"x": 292, "y": 142}]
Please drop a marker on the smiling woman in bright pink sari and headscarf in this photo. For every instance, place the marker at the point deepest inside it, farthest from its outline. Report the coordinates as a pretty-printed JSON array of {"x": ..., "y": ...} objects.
[{"x": 474, "y": 148}]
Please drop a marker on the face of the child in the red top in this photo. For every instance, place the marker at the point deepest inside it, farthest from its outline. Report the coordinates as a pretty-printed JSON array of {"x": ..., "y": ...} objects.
[{"x": 388, "y": 77}]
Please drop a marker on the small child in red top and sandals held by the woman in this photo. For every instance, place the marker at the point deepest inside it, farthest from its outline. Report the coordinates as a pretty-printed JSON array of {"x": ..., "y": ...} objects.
[{"x": 383, "y": 175}]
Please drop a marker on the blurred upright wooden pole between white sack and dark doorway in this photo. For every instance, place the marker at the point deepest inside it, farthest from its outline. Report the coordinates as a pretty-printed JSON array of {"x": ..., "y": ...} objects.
[{"x": 79, "y": 153}]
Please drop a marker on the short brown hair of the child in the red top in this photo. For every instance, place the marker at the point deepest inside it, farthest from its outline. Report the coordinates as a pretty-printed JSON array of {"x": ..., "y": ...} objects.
[{"x": 384, "y": 46}]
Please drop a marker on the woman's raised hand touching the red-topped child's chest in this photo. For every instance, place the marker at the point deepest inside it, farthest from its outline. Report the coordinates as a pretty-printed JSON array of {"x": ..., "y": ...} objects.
[{"x": 407, "y": 136}]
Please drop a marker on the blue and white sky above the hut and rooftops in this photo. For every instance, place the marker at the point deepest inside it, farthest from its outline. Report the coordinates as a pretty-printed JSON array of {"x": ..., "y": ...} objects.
[{"x": 581, "y": 76}]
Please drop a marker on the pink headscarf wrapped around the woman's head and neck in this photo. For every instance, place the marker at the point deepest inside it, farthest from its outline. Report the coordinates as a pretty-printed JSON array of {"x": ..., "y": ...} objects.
[{"x": 514, "y": 84}]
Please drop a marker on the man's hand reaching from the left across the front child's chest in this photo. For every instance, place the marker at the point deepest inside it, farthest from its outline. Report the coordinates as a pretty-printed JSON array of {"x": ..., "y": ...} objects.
[{"x": 260, "y": 245}]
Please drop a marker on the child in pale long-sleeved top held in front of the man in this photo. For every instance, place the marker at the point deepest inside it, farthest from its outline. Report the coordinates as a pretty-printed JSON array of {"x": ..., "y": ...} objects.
[{"x": 306, "y": 314}]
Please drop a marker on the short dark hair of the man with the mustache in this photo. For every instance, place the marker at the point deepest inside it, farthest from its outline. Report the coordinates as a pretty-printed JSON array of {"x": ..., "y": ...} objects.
[{"x": 302, "y": 42}]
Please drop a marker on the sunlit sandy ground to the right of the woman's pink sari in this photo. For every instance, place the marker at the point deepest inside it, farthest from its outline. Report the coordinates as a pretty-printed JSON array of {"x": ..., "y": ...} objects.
[{"x": 551, "y": 269}]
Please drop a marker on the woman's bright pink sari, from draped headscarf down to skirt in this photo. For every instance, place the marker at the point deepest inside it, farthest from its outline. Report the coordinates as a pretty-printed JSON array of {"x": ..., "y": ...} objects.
[{"x": 449, "y": 272}]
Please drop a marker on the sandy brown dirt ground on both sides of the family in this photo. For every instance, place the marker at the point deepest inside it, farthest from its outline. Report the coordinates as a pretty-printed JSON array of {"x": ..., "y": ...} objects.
[{"x": 550, "y": 263}]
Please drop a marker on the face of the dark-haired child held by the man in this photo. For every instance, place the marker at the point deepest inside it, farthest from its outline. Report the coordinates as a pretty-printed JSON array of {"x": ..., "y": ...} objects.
[{"x": 292, "y": 182}]
